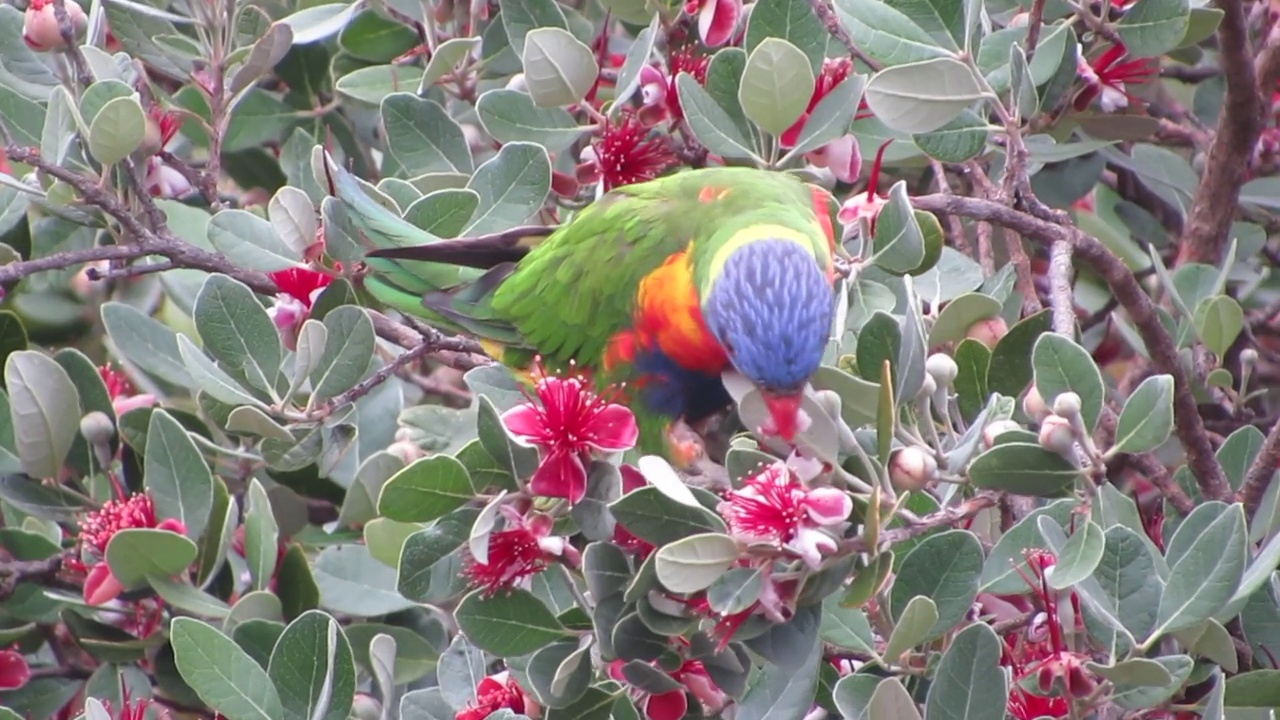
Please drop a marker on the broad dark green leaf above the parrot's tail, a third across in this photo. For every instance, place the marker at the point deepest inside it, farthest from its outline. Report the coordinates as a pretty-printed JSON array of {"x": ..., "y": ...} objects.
[{"x": 423, "y": 138}]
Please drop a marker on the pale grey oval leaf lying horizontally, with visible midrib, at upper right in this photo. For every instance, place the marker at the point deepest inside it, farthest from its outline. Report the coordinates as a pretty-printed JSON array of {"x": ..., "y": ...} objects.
[{"x": 925, "y": 97}]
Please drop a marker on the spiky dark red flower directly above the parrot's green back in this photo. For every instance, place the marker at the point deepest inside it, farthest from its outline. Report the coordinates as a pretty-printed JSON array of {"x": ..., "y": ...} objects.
[{"x": 624, "y": 156}]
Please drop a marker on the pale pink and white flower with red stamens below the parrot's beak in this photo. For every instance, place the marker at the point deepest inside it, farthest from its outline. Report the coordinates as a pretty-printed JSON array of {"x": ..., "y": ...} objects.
[{"x": 774, "y": 507}]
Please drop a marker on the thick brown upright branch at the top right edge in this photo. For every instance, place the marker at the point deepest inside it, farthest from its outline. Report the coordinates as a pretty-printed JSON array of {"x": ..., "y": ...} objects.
[{"x": 1238, "y": 129}]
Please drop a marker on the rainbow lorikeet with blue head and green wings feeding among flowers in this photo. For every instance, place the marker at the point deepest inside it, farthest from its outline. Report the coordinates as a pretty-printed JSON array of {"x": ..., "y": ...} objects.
[{"x": 664, "y": 285}]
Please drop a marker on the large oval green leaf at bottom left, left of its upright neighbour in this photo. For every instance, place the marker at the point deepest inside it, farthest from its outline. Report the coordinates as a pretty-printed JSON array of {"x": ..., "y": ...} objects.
[{"x": 223, "y": 675}]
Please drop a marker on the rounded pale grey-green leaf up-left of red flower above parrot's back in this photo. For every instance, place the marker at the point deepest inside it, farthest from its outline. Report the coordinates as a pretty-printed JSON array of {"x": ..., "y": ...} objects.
[{"x": 560, "y": 70}]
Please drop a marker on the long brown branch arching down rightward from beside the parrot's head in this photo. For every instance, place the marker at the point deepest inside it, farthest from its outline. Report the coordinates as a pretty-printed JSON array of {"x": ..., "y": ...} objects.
[{"x": 1124, "y": 286}]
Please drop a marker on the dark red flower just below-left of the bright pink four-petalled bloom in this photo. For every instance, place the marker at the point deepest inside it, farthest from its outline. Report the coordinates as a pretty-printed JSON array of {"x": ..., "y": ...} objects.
[{"x": 516, "y": 553}]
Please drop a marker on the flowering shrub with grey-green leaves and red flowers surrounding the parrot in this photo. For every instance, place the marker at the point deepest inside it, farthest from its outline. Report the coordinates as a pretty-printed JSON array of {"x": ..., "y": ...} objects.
[{"x": 1039, "y": 473}]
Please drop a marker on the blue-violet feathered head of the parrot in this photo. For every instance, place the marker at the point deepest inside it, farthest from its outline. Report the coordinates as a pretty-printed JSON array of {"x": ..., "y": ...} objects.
[{"x": 772, "y": 308}]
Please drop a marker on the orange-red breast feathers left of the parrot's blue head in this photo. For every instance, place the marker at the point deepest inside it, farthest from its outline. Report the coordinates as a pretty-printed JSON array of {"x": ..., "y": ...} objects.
[{"x": 670, "y": 316}]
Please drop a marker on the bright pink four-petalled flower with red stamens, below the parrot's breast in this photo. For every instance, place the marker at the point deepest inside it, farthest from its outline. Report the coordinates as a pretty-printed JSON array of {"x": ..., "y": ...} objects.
[{"x": 568, "y": 425}]
